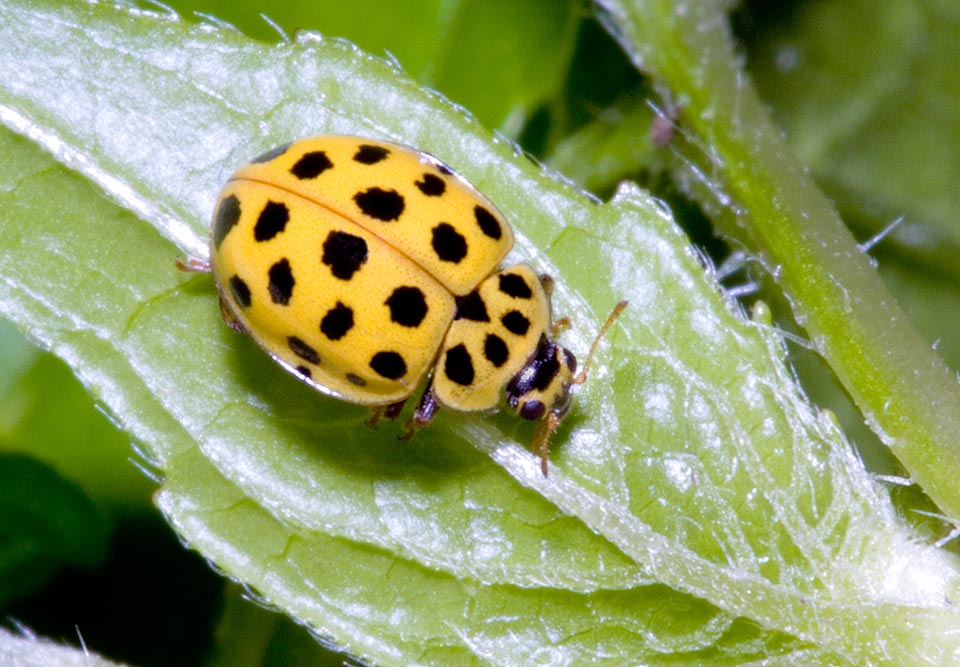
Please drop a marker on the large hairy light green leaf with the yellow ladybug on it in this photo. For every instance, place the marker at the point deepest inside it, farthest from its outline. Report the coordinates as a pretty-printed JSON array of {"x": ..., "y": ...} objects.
[{"x": 698, "y": 510}]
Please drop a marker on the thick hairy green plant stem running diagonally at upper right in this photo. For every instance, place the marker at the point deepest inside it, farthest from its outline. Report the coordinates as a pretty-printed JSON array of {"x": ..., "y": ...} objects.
[{"x": 907, "y": 394}]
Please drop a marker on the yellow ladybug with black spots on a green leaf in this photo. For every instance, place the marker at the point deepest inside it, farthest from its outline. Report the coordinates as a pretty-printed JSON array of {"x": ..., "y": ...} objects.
[{"x": 365, "y": 268}]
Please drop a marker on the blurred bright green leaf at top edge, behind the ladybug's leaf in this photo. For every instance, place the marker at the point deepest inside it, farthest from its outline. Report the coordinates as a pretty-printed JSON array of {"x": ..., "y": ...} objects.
[{"x": 518, "y": 49}]
